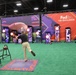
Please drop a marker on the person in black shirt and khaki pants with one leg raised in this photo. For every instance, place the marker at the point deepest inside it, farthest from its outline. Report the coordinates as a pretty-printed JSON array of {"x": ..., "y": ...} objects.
[{"x": 25, "y": 44}]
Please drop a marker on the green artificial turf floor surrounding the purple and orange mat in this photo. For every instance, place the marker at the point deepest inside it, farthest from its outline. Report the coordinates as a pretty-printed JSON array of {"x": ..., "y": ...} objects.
[{"x": 53, "y": 59}]
